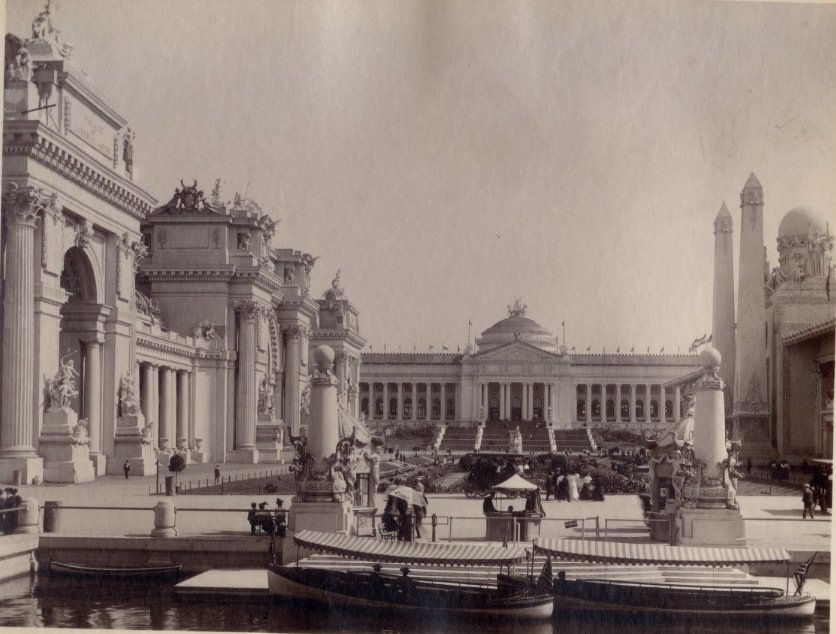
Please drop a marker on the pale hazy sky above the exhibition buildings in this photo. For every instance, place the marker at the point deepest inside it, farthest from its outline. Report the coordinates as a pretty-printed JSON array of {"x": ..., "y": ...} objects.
[{"x": 452, "y": 156}]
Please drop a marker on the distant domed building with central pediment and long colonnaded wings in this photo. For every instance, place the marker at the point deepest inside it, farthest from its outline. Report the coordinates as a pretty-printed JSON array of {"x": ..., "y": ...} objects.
[{"x": 518, "y": 372}]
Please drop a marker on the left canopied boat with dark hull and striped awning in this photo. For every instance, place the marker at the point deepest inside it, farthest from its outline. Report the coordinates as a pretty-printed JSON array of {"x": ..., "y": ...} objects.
[{"x": 371, "y": 588}]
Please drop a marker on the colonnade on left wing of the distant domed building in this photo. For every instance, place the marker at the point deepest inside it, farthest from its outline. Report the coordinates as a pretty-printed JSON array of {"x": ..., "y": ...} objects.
[{"x": 407, "y": 408}]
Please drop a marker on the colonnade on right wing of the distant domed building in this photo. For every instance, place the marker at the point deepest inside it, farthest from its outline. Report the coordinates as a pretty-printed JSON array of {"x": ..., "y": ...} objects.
[{"x": 587, "y": 393}]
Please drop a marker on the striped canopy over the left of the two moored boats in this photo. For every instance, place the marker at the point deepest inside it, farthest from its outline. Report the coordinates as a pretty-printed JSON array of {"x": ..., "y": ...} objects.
[{"x": 429, "y": 553}]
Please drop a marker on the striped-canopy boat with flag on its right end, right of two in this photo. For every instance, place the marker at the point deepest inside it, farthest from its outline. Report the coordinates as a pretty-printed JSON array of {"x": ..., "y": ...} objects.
[{"x": 667, "y": 599}]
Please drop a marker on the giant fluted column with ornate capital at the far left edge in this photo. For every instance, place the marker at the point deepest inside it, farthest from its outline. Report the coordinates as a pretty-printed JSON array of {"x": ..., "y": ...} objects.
[{"x": 17, "y": 452}]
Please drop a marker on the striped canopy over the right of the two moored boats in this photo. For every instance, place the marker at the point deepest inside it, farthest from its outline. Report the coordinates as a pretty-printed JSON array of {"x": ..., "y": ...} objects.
[{"x": 626, "y": 553}]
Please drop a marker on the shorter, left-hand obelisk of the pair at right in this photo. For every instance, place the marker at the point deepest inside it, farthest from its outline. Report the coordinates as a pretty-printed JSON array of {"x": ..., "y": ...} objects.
[{"x": 722, "y": 323}]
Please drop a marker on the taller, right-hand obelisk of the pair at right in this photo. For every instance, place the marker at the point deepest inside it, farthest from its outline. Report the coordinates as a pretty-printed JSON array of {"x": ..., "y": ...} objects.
[{"x": 750, "y": 413}]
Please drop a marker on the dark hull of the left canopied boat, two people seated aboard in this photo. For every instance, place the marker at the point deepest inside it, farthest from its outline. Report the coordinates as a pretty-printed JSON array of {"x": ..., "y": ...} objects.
[{"x": 287, "y": 582}]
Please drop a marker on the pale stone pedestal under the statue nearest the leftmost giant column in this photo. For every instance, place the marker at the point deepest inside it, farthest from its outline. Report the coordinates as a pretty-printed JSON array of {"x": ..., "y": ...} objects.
[{"x": 66, "y": 459}]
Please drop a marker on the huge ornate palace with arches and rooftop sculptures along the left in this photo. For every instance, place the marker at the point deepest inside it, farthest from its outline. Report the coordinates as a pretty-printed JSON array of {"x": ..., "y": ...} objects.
[{"x": 174, "y": 327}]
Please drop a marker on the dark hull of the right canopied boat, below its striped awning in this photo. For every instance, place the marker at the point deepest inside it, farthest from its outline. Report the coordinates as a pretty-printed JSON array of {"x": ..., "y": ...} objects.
[{"x": 713, "y": 603}]
